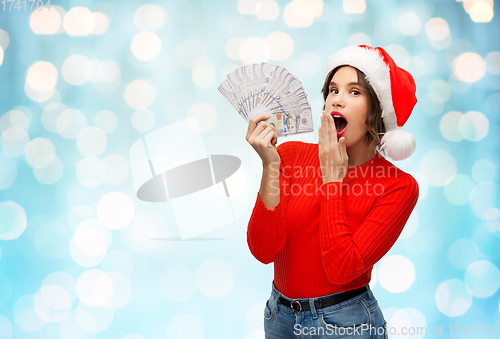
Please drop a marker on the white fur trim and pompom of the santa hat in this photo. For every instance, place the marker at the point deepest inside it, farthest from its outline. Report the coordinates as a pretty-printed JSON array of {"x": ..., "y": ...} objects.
[{"x": 397, "y": 143}]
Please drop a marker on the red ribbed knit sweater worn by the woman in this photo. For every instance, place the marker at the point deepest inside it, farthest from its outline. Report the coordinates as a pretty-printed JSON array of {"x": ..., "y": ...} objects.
[{"x": 325, "y": 238}]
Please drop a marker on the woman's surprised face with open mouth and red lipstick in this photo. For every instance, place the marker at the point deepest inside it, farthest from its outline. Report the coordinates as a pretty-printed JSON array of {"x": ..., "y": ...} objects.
[{"x": 347, "y": 97}]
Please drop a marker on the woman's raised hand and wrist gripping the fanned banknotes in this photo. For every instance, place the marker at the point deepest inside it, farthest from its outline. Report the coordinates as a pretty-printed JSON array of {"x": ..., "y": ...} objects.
[{"x": 263, "y": 138}]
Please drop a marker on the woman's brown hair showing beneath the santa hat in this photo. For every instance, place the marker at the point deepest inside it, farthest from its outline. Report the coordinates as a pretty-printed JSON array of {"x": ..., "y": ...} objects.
[{"x": 374, "y": 122}]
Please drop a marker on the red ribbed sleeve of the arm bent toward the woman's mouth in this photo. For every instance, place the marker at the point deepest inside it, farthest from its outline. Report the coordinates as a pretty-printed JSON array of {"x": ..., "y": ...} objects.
[{"x": 347, "y": 255}]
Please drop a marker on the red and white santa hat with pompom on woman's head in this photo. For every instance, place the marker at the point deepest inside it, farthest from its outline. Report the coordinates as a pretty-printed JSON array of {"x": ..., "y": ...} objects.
[{"x": 395, "y": 90}]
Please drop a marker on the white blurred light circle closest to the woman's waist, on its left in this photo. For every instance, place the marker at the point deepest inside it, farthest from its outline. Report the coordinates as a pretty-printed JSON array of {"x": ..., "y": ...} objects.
[{"x": 214, "y": 278}]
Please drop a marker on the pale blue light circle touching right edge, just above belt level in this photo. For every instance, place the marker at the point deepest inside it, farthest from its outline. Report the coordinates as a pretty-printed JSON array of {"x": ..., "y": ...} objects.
[{"x": 483, "y": 278}]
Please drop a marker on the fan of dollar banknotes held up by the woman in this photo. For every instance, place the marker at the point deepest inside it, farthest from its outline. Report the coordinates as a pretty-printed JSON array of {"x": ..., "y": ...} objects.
[{"x": 265, "y": 88}]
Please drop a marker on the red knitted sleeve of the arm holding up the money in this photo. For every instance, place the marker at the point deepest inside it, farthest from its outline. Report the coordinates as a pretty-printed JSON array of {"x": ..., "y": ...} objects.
[{"x": 266, "y": 232}]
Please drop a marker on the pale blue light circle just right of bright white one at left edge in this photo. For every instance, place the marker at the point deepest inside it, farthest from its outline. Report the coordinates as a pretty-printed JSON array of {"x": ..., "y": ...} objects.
[{"x": 52, "y": 239}]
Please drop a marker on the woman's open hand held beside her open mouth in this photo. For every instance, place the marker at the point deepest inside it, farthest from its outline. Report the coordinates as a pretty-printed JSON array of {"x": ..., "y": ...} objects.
[{"x": 332, "y": 152}]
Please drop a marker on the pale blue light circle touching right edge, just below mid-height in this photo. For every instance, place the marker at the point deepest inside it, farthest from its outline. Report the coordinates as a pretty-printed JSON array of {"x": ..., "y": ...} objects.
[{"x": 484, "y": 199}]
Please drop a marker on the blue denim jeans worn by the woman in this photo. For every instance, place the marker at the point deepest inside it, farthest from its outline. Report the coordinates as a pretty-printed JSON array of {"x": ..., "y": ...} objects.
[{"x": 358, "y": 317}]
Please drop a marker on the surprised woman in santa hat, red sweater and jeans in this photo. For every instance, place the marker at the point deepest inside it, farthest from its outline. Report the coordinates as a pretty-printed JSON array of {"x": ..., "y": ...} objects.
[{"x": 327, "y": 212}]
